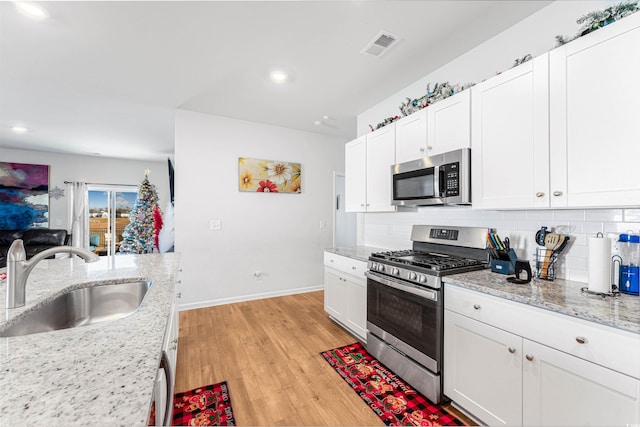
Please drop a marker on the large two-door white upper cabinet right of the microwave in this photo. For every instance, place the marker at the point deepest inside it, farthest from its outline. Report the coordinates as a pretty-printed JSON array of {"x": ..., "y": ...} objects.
[{"x": 559, "y": 131}]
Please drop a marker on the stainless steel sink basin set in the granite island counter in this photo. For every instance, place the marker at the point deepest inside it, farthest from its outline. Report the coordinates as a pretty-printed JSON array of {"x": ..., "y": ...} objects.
[{"x": 81, "y": 307}]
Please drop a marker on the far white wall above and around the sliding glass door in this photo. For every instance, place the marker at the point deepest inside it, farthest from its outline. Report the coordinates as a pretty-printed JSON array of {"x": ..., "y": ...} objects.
[{"x": 65, "y": 167}]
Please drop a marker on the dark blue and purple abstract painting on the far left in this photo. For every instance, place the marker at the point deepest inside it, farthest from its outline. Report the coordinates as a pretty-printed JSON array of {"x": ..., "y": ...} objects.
[{"x": 24, "y": 196}]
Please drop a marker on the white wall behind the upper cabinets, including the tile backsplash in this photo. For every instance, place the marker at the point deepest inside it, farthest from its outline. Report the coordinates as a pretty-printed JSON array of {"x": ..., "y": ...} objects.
[{"x": 535, "y": 35}]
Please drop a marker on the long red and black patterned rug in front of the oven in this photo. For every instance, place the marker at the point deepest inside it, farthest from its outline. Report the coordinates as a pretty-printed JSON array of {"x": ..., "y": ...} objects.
[{"x": 393, "y": 400}]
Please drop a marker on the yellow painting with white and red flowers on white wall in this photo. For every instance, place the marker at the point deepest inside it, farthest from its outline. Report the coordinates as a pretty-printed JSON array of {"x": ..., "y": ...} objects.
[{"x": 268, "y": 176}]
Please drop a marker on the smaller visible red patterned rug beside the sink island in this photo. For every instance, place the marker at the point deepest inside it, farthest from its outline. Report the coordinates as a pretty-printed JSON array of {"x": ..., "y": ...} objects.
[{"x": 204, "y": 406}]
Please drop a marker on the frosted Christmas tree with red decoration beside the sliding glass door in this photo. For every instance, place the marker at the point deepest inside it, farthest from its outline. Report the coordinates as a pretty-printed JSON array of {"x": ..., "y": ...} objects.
[{"x": 145, "y": 221}]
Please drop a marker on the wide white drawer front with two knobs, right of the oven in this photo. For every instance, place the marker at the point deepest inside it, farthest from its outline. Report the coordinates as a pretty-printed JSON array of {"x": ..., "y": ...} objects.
[{"x": 610, "y": 347}]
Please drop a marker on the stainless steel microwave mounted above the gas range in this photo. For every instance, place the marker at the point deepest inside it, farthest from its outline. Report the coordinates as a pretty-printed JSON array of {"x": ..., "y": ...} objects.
[{"x": 443, "y": 179}]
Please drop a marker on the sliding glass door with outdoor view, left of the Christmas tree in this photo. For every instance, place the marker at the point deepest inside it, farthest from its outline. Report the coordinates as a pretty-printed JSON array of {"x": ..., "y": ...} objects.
[{"x": 108, "y": 212}]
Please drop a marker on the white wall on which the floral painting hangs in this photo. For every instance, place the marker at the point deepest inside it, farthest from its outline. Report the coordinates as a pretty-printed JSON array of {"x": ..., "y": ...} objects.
[{"x": 276, "y": 234}]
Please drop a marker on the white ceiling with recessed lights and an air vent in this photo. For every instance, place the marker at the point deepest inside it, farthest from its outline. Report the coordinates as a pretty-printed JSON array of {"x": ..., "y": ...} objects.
[{"x": 105, "y": 77}]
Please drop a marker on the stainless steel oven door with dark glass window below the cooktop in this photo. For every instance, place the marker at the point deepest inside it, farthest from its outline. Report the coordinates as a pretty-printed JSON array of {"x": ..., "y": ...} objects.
[{"x": 407, "y": 317}]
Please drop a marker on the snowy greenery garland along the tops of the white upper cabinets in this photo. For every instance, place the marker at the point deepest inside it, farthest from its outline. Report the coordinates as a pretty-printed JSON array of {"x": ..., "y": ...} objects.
[{"x": 590, "y": 22}]
